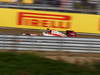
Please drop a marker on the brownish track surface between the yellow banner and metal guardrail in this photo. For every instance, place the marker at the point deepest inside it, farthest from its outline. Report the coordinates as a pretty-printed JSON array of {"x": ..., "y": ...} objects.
[{"x": 18, "y": 31}]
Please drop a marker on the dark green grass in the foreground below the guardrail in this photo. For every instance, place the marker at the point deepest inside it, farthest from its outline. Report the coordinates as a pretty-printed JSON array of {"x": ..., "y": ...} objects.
[{"x": 29, "y": 64}]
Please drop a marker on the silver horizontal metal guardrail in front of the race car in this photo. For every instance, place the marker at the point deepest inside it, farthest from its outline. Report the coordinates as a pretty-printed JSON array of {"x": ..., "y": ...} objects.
[{"x": 41, "y": 43}]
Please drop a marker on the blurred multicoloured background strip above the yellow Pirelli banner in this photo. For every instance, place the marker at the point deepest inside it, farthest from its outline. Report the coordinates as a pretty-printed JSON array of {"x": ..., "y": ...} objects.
[{"x": 81, "y": 6}]
